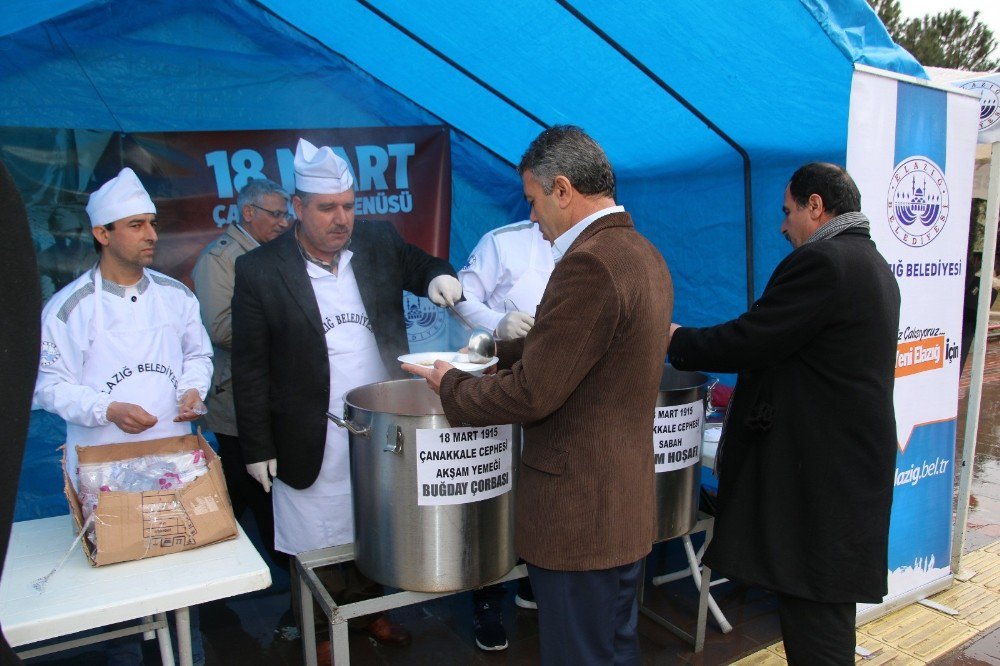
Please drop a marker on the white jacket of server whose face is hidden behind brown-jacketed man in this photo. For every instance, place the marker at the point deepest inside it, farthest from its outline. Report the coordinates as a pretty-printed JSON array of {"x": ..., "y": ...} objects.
[{"x": 507, "y": 270}]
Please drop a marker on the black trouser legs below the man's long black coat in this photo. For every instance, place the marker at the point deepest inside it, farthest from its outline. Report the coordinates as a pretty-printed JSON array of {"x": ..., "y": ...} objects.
[{"x": 817, "y": 633}]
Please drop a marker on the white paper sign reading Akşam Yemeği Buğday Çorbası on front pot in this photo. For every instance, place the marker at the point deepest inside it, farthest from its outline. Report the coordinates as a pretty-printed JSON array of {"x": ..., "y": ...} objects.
[{"x": 463, "y": 465}]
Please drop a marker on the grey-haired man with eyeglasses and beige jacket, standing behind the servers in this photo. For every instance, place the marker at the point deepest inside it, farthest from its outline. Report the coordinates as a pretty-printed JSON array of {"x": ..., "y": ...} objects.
[{"x": 264, "y": 216}]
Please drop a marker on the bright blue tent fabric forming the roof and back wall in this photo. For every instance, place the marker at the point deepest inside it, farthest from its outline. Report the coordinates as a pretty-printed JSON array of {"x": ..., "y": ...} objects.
[{"x": 773, "y": 76}]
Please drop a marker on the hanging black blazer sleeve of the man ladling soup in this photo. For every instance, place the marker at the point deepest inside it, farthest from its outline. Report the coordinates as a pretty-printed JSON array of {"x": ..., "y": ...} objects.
[{"x": 251, "y": 381}]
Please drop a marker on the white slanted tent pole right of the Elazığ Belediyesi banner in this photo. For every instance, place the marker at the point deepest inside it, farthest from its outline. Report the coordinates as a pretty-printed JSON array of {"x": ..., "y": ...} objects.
[{"x": 978, "y": 361}]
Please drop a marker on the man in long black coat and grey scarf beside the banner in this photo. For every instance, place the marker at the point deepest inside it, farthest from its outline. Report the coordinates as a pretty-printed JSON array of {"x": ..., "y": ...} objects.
[{"x": 808, "y": 451}]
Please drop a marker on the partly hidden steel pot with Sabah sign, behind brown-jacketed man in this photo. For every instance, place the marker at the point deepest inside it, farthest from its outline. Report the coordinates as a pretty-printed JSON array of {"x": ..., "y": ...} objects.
[{"x": 677, "y": 490}]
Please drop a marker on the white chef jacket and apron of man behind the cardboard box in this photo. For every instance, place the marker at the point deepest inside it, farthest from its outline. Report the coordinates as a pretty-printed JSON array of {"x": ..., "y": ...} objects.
[{"x": 144, "y": 344}]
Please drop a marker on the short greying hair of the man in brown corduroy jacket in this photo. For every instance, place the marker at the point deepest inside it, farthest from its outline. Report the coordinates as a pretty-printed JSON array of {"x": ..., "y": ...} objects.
[{"x": 566, "y": 150}]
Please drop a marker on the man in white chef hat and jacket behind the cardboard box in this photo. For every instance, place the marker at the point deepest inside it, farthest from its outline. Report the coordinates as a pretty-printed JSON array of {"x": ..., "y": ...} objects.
[{"x": 125, "y": 356}]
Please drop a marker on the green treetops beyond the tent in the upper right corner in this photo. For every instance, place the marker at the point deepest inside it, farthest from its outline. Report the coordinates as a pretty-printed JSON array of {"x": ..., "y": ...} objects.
[{"x": 946, "y": 39}]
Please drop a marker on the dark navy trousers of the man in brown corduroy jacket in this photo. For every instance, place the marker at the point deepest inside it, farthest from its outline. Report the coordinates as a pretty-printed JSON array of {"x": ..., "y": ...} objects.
[{"x": 588, "y": 617}]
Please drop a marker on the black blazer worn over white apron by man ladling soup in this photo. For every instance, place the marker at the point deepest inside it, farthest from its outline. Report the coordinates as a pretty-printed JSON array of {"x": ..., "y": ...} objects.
[{"x": 280, "y": 366}]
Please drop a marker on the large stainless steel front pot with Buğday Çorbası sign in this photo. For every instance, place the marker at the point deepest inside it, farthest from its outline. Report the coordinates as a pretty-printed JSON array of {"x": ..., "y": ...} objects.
[{"x": 397, "y": 542}]
